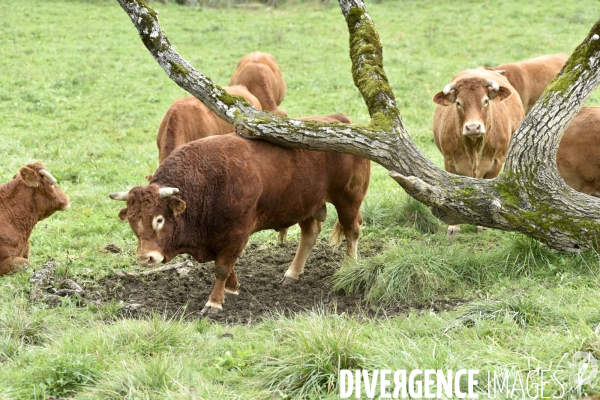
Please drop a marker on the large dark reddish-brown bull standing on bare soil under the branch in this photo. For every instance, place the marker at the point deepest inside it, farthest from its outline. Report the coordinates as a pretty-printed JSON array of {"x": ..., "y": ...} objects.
[{"x": 210, "y": 195}]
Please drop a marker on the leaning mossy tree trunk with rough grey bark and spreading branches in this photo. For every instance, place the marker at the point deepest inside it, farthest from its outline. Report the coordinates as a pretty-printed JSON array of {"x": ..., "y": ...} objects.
[{"x": 529, "y": 196}]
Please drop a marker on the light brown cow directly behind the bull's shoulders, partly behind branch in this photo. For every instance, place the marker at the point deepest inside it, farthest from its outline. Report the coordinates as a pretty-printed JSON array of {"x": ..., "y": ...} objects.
[{"x": 189, "y": 119}]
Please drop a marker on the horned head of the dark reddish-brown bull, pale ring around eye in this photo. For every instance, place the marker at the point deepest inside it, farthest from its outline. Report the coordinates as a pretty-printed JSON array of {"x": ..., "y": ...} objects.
[{"x": 152, "y": 213}]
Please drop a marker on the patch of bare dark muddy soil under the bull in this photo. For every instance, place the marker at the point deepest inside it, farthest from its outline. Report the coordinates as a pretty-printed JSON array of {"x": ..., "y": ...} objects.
[{"x": 259, "y": 271}]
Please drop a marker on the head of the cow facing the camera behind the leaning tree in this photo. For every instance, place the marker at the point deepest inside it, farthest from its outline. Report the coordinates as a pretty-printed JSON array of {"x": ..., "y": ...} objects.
[{"x": 472, "y": 97}]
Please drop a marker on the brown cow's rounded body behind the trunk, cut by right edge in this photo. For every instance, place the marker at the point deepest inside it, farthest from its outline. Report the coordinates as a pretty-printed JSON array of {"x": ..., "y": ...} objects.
[{"x": 578, "y": 157}]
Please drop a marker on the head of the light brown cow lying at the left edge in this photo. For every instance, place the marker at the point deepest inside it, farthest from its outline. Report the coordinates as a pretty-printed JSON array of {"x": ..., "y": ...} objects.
[{"x": 47, "y": 197}]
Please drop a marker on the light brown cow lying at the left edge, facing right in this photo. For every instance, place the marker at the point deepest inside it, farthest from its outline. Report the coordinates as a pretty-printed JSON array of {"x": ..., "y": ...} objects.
[{"x": 30, "y": 197}]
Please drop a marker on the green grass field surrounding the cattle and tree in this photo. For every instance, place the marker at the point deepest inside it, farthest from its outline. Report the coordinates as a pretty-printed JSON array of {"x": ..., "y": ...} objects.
[{"x": 80, "y": 93}]
